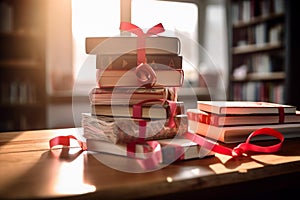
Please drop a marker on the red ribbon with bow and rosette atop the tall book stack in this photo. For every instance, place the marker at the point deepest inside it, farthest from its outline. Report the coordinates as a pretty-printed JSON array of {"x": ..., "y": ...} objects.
[{"x": 145, "y": 74}]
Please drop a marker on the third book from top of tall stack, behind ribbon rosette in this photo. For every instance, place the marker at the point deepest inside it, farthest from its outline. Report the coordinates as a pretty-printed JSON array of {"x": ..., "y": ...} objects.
[{"x": 128, "y": 78}]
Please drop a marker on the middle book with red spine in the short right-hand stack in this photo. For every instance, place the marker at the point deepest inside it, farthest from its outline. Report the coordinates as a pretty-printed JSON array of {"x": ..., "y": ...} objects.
[{"x": 235, "y": 120}]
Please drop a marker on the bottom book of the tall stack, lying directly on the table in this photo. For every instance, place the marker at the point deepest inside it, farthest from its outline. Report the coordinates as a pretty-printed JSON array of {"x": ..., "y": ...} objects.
[{"x": 174, "y": 149}]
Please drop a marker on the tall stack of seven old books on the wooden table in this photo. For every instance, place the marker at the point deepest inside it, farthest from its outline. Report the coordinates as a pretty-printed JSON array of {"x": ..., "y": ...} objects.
[{"x": 111, "y": 125}]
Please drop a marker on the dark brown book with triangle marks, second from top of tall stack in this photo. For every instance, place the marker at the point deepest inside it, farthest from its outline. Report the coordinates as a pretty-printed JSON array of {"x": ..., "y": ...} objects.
[{"x": 129, "y": 61}]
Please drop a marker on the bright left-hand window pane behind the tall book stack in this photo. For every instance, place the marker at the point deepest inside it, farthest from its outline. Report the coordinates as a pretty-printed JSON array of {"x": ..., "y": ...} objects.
[{"x": 91, "y": 18}]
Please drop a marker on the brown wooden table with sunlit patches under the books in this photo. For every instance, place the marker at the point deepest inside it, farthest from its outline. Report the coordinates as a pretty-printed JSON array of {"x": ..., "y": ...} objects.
[{"x": 30, "y": 170}]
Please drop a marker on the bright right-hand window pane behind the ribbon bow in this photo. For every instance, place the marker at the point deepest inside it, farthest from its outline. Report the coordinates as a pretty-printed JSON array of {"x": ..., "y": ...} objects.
[{"x": 180, "y": 20}]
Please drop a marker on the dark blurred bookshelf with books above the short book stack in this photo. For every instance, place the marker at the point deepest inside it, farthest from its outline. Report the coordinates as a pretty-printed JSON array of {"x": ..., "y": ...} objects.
[{"x": 258, "y": 50}]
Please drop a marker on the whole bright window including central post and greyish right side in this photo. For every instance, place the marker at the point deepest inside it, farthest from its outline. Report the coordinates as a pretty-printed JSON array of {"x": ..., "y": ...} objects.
[{"x": 191, "y": 21}]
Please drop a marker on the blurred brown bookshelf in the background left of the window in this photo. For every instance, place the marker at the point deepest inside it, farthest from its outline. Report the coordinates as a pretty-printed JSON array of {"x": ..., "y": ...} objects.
[{"x": 22, "y": 65}]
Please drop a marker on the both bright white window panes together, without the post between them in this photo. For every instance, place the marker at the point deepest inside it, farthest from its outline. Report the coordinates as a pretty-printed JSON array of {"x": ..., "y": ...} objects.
[{"x": 89, "y": 18}]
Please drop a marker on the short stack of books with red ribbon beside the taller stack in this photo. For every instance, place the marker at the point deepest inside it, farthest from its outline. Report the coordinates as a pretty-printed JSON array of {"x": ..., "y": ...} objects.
[{"x": 234, "y": 121}]
